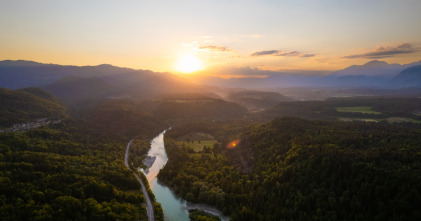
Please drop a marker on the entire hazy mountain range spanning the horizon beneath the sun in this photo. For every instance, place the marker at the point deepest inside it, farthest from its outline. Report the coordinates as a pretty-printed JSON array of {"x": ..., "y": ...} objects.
[{"x": 90, "y": 82}]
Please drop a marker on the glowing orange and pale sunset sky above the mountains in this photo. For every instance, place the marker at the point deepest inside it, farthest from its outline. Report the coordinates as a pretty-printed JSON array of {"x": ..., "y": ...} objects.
[{"x": 219, "y": 34}]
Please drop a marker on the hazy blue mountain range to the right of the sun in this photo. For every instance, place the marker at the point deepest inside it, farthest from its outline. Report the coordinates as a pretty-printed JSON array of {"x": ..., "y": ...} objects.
[{"x": 374, "y": 74}]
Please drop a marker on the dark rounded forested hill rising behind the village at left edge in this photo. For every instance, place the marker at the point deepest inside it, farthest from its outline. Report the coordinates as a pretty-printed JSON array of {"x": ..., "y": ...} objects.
[{"x": 21, "y": 106}]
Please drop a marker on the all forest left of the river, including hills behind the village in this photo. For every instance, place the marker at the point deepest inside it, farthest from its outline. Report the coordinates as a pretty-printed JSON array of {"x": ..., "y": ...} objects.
[{"x": 73, "y": 170}]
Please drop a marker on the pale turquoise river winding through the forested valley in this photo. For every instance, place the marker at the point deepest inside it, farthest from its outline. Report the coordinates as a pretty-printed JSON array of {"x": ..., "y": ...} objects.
[{"x": 174, "y": 207}]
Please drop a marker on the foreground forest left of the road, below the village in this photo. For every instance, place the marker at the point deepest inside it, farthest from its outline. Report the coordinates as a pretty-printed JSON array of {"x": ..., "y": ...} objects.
[{"x": 51, "y": 174}]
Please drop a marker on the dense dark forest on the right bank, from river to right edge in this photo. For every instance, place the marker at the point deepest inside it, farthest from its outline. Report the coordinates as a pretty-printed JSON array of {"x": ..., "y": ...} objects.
[{"x": 293, "y": 169}]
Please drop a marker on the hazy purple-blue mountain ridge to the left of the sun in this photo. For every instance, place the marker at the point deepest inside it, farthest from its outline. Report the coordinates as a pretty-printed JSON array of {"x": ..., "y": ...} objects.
[{"x": 77, "y": 84}]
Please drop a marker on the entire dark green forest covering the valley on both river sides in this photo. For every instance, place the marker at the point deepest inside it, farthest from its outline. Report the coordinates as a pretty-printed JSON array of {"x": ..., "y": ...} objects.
[{"x": 280, "y": 168}]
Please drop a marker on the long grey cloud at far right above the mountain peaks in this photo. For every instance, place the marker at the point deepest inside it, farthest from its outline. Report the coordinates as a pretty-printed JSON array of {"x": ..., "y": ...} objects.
[{"x": 384, "y": 52}]
